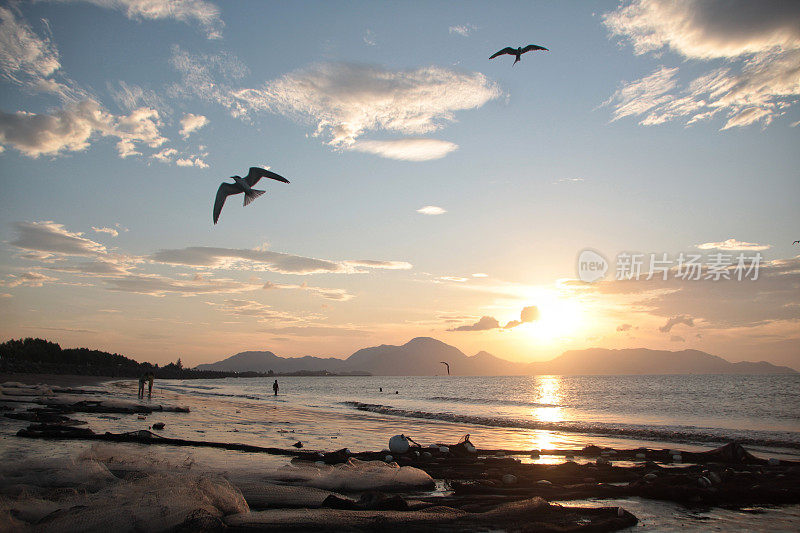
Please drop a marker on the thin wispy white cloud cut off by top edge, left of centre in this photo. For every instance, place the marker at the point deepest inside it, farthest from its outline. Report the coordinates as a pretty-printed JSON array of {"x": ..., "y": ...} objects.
[{"x": 206, "y": 14}]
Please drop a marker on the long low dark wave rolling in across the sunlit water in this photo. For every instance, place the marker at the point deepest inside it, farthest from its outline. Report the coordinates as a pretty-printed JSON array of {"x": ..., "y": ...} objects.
[{"x": 687, "y": 434}]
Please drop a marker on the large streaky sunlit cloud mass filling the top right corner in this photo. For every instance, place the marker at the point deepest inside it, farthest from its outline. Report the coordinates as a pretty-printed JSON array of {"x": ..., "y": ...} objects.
[{"x": 758, "y": 45}]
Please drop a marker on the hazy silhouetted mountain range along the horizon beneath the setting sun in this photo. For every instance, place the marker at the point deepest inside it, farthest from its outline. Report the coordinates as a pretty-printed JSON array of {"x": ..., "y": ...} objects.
[{"x": 423, "y": 356}]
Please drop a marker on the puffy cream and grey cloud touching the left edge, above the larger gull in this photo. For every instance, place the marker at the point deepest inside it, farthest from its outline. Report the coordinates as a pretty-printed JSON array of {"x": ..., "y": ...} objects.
[{"x": 72, "y": 128}]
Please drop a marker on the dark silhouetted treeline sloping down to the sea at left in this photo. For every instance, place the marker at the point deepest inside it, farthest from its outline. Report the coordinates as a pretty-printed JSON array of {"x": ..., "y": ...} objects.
[{"x": 40, "y": 356}]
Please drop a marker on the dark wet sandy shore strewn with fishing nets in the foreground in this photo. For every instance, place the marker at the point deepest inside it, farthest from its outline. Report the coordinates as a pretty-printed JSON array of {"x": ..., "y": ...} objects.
[{"x": 102, "y": 444}]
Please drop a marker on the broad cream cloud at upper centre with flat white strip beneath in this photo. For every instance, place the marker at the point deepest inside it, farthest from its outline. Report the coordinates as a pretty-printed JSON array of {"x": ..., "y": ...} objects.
[{"x": 345, "y": 100}]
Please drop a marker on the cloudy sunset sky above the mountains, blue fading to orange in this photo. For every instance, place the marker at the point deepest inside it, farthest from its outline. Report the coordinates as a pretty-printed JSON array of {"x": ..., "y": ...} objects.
[{"x": 434, "y": 192}]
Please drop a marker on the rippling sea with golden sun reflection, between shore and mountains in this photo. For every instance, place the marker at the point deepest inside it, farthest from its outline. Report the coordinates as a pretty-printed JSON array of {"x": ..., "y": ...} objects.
[{"x": 532, "y": 412}]
